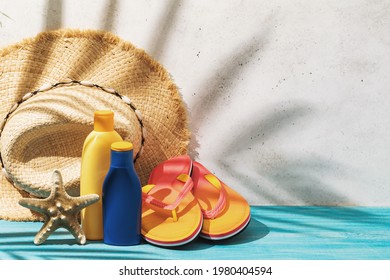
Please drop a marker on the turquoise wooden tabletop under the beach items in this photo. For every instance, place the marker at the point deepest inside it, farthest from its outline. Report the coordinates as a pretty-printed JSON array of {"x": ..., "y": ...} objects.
[{"x": 274, "y": 233}]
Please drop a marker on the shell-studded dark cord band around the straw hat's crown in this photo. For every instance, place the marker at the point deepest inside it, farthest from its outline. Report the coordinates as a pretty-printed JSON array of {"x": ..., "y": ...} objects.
[{"x": 70, "y": 82}]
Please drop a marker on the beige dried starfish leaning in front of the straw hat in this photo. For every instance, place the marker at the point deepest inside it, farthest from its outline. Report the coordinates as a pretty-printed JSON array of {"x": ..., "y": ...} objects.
[{"x": 59, "y": 210}]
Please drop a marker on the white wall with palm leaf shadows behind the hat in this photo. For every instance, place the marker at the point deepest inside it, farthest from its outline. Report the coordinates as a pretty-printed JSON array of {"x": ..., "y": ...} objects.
[{"x": 289, "y": 100}]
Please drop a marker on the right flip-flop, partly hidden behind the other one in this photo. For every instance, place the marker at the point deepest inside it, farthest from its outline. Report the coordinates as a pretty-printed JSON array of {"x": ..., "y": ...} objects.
[{"x": 225, "y": 211}]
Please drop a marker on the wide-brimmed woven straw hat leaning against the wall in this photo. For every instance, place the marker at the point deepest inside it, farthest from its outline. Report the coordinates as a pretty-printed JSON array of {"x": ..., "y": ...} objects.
[{"x": 50, "y": 86}]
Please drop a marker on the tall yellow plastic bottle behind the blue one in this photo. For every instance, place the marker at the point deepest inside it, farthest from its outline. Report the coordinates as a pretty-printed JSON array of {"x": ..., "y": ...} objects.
[{"x": 95, "y": 163}]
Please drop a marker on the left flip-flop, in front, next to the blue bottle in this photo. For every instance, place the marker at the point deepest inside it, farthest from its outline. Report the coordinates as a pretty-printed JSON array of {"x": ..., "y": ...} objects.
[{"x": 171, "y": 215}]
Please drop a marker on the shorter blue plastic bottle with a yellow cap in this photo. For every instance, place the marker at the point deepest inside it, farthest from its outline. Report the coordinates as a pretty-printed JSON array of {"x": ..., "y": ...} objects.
[{"x": 122, "y": 198}]
